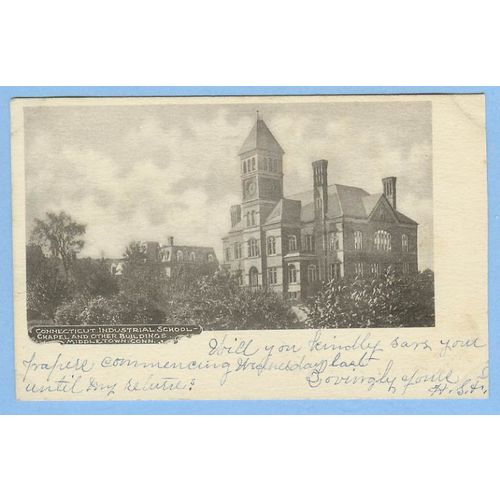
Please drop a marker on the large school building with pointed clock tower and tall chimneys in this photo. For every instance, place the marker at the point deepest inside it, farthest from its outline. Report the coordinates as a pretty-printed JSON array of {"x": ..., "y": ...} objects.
[{"x": 331, "y": 231}]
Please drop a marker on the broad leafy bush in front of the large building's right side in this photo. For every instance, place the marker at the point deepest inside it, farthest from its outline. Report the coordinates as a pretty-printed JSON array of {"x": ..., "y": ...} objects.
[{"x": 386, "y": 301}]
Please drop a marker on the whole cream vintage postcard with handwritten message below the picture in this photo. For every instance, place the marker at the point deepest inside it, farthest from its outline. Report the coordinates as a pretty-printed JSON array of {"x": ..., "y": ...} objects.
[{"x": 258, "y": 247}]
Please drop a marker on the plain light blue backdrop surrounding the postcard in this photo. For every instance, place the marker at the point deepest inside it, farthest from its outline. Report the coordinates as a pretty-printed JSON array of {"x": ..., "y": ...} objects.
[{"x": 8, "y": 403}]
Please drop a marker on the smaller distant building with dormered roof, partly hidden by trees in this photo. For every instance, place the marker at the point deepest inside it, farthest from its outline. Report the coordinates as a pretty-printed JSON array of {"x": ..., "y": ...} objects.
[{"x": 173, "y": 258}]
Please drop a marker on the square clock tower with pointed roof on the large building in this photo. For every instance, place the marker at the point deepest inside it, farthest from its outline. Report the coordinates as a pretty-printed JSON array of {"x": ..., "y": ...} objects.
[{"x": 261, "y": 162}]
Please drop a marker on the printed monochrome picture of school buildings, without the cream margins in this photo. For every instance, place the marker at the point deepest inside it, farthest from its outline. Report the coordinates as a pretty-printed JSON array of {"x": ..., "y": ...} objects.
[{"x": 255, "y": 215}]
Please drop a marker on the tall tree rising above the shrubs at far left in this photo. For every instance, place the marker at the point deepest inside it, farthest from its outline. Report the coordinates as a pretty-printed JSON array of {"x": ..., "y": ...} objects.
[{"x": 60, "y": 236}]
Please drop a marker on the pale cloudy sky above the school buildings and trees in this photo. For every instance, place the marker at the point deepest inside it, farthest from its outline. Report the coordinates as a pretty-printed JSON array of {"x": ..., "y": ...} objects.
[{"x": 144, "y": 172}]
